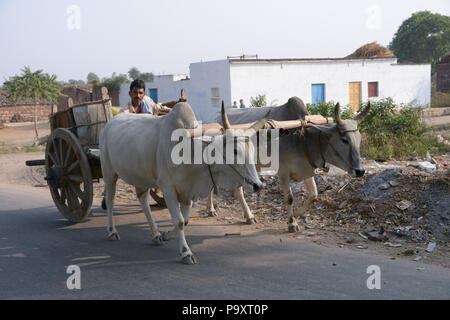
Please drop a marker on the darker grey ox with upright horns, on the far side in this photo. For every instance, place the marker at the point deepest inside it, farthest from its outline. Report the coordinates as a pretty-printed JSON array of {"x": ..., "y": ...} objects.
[{"x": 304, "y": 150}]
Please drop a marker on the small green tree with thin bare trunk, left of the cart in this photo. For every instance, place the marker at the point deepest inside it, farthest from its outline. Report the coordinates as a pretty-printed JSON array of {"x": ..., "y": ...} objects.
[{"x": 33, "y": 85}]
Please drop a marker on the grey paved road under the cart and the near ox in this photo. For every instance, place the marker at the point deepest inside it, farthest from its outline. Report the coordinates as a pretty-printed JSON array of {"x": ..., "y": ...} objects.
[{"x": 37, "y": 245}]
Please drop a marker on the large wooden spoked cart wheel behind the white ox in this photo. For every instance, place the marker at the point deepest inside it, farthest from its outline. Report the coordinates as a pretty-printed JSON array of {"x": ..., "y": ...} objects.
[{"x": 68, "y": 175}]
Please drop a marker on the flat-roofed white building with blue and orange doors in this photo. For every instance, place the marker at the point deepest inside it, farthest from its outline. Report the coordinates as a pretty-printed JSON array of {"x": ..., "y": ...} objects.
[{"x": 343, "y": 80}]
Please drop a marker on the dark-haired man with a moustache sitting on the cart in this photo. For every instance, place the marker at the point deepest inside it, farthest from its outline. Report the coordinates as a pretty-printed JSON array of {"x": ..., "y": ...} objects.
[{"x": 141, "y": 103}]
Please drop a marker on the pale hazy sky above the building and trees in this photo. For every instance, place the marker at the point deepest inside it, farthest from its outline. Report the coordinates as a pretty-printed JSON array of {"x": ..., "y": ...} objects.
[{"x": 71, "y": 38}]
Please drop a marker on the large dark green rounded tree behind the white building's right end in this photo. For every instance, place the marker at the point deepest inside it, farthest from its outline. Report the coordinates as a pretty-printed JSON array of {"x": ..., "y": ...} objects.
[{"x": 424, "y": 37}]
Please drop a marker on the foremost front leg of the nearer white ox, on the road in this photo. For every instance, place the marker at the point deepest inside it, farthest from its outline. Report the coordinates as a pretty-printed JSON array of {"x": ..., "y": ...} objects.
[{"x": 179, "y": 222}]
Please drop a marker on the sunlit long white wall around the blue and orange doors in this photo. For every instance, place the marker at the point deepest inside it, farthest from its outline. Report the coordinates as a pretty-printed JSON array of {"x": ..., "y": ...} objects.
[{"x": 281, "y": 80}]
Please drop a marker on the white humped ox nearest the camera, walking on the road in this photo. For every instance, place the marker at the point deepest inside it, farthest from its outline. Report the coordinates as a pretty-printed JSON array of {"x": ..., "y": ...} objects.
[{"x": 138, "y": 147}]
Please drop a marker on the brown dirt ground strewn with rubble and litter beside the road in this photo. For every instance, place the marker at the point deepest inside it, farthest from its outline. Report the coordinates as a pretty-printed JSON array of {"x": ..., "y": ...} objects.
[{"x": 352, "y": 213}]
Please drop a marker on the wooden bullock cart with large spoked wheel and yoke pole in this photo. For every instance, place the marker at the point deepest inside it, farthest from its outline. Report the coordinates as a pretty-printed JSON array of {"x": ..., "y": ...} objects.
[{"x": 72, "y": 154}]
